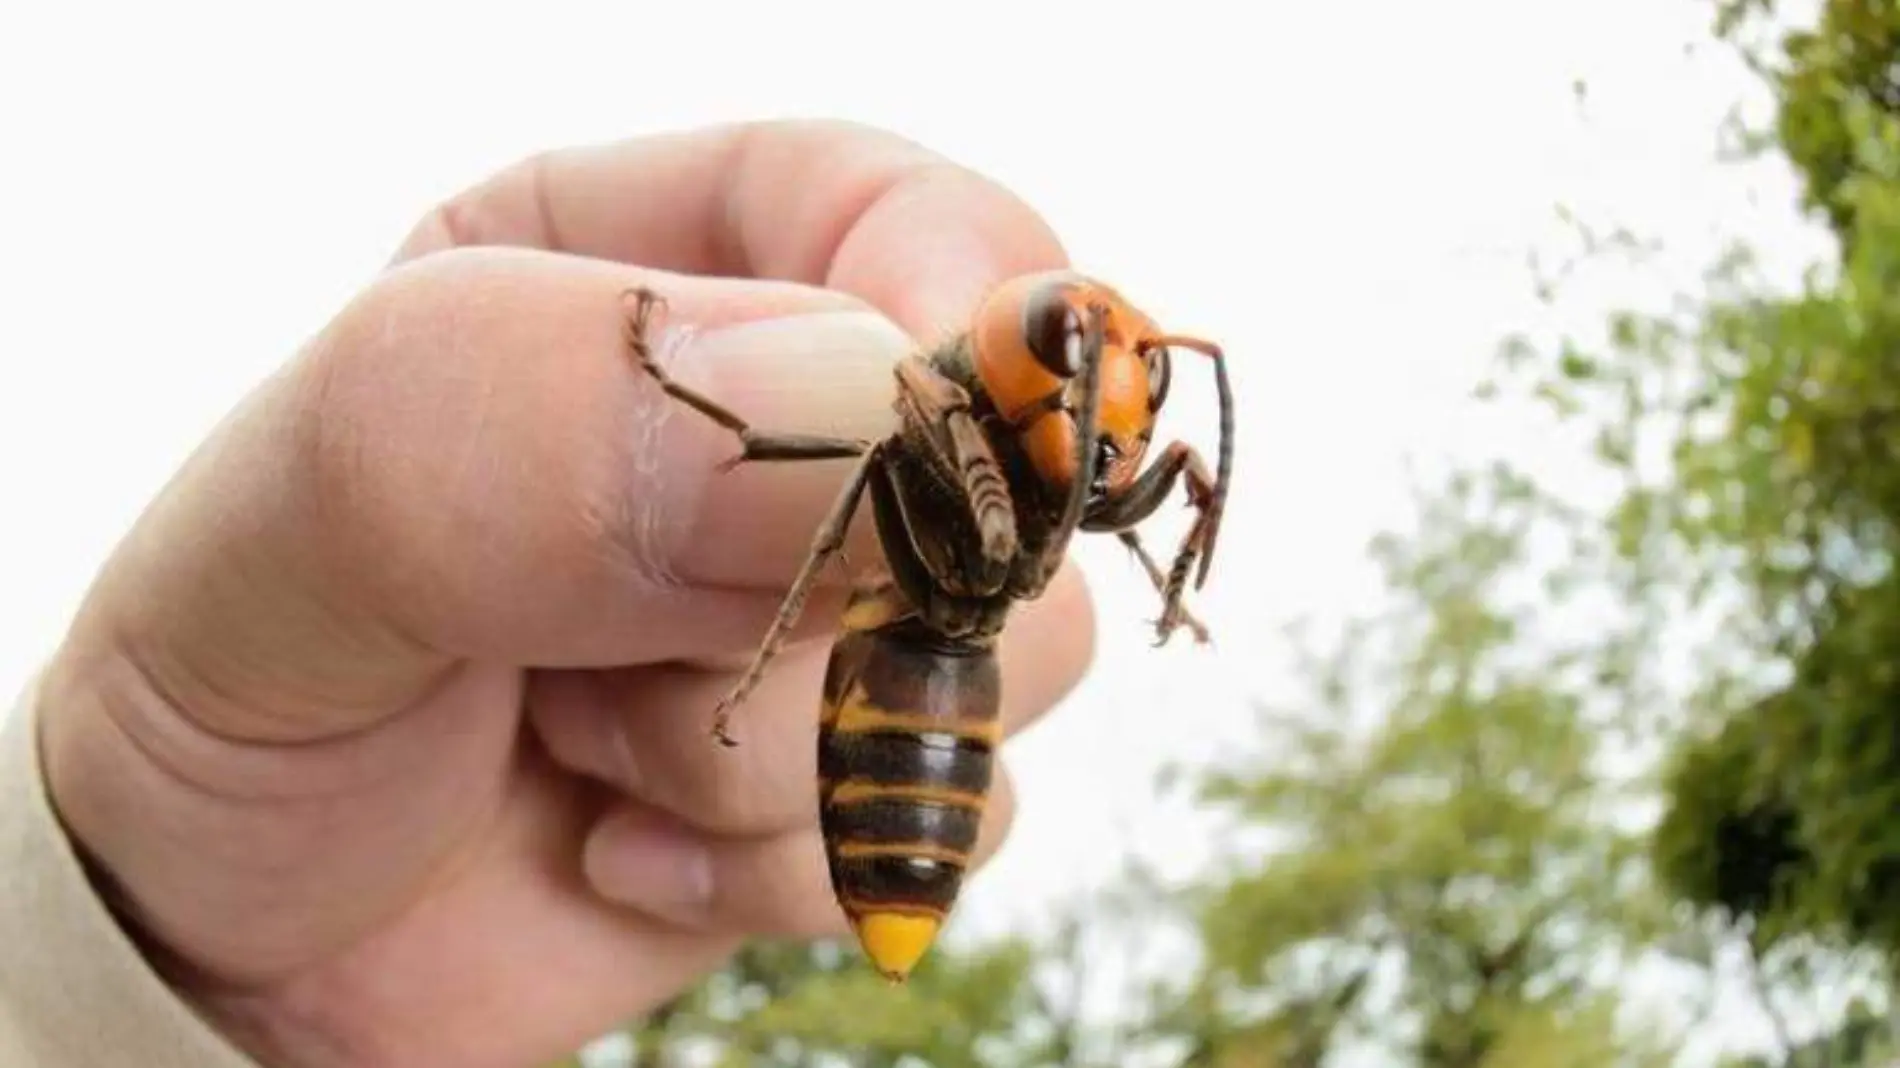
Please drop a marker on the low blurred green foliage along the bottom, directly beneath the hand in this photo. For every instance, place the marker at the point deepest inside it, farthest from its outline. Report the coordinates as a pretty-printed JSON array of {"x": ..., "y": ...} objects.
[{"x": 1002, "y": 1004}]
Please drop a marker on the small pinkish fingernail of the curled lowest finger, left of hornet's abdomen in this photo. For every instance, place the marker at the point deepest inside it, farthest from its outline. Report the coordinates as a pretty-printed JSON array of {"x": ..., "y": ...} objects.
[{"x": 639, "y": 860}]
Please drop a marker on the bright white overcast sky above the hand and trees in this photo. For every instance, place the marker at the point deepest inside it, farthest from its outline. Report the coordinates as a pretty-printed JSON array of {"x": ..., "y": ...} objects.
[{"x": 1342, "y": 195}]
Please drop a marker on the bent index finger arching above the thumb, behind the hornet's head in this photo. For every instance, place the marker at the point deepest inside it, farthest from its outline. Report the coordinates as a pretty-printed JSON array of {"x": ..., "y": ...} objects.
[{"x": 829, "y": 204}]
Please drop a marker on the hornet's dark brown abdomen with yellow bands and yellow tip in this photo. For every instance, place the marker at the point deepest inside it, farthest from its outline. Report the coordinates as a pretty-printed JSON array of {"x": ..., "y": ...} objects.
[{"x": 907, "y": 748}]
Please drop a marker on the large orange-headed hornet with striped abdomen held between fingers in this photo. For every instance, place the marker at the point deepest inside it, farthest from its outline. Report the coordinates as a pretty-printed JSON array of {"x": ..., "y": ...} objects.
[{"x": 1012, "y": 436}]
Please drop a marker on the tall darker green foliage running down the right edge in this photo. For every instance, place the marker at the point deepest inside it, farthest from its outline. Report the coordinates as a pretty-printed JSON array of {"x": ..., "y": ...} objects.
[{"x": 1757, "y": 432}]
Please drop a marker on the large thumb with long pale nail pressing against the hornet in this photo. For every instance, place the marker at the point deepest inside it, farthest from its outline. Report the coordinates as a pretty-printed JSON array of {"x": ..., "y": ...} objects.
[{"x": 466, "y": 465}]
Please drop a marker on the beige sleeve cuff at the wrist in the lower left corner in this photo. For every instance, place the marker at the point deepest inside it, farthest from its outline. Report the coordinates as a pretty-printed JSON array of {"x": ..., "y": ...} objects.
[{"x": 75, "y": 993}]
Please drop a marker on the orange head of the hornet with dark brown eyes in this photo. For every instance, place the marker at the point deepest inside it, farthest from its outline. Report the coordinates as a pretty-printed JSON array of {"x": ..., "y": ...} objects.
[{"x": 1029, "y": 351}]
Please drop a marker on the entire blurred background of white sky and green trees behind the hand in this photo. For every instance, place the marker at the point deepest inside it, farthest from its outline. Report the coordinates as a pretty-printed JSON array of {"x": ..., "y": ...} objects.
[{"x": 1551, "y": 717}]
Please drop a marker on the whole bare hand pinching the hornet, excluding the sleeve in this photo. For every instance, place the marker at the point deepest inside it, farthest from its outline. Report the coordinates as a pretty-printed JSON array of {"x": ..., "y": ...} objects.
[{"x": 387, "y": 729}]
